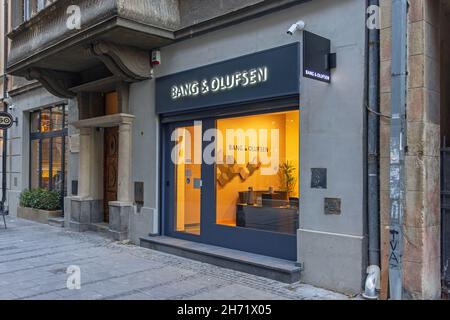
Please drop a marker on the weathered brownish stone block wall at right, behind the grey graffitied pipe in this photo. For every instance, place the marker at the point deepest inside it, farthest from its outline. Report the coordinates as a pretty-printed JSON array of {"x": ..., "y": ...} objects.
[{"x": 421, "y": 260}]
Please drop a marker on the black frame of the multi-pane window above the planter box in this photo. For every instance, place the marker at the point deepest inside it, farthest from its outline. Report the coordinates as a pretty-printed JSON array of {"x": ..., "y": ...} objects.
[{"x": 40, "y": 136}]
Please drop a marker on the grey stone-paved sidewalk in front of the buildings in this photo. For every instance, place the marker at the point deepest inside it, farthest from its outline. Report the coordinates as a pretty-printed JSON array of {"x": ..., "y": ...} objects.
[{"x": 34, "y": 259}]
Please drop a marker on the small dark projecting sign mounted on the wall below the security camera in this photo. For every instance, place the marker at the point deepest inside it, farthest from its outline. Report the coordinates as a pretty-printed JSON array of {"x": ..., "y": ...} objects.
[{"x": 317, "y": 57}]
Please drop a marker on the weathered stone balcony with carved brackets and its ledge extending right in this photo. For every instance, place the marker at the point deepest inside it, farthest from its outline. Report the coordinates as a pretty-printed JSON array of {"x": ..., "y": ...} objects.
[{"x": 113, "y": 39}]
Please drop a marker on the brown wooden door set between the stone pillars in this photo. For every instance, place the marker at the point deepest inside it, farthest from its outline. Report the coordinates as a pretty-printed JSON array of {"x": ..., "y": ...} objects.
[{"x": 111, "y": 151}]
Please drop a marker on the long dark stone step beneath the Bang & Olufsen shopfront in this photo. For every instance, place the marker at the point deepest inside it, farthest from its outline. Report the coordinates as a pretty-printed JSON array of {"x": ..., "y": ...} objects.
[{"x": 263, "y": 266}]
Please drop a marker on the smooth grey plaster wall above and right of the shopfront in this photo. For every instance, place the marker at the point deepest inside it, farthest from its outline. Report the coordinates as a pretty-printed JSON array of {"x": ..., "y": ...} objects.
[{"x": 332, "y": 127}]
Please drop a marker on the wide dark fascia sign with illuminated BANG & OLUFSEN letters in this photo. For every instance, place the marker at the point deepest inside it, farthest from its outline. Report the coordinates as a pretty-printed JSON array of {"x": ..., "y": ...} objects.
[{"x": 256, "y": 77}]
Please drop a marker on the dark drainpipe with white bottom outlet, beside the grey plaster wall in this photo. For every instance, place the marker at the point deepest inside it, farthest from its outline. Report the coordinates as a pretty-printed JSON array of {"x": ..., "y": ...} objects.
[{"x": 373, "y": 183}]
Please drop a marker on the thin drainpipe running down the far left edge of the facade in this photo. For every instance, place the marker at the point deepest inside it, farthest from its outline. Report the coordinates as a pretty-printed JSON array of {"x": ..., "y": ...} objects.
[{"x": 5, "y": 91}]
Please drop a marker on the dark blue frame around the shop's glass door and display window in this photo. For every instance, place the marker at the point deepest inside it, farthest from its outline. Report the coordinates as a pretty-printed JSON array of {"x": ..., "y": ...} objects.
[{"x": 279, "y": 245}]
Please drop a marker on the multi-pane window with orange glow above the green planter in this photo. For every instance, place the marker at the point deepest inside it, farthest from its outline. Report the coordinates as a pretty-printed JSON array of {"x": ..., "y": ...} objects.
[{"x": 48, "y": 152}]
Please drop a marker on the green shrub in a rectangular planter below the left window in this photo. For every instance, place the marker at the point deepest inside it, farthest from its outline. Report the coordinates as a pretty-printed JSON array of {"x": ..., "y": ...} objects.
[{"x": 39, "y": 205}]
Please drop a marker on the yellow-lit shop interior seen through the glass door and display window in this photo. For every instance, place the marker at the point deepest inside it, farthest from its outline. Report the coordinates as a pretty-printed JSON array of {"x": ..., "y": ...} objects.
[{"x": 257, "y": 170}]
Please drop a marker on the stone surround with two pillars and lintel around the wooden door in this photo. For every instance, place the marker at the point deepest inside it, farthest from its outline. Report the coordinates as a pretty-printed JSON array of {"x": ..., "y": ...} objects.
[{"x": 85, "y": 208}]
